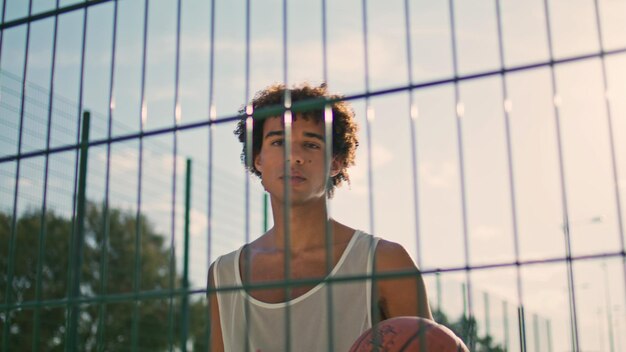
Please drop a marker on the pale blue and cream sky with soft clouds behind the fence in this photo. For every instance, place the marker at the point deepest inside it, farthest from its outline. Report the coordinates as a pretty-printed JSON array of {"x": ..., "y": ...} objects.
[{"x": 572, "y": 113}]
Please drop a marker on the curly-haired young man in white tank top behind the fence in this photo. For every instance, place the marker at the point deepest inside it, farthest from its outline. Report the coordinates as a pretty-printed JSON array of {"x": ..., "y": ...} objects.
[{"x": 298, "y": 316}]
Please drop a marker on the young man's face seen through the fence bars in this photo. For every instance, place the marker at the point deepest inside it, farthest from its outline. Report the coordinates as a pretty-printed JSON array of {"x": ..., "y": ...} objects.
[{"x": 306, "y": 161}]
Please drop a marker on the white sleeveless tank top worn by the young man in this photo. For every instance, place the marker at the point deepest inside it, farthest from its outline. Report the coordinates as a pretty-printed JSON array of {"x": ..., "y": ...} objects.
[{"x": 308, "y": 314}]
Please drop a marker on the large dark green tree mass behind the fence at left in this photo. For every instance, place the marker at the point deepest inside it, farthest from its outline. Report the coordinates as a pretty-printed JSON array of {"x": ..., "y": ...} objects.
[{"x": 108, "y": 270}]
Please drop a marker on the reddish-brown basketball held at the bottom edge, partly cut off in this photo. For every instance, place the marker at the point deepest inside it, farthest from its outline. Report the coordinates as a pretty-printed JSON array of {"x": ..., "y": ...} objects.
[{"x": 408, "y": 334}]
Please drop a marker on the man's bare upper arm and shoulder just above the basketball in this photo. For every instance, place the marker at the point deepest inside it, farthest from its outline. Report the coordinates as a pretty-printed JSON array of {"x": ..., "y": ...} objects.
[{"x": 404, "y": 296}]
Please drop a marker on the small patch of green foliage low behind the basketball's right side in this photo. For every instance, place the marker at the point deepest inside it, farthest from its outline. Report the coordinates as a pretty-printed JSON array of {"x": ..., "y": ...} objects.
[{"x": 466, "y": 329}]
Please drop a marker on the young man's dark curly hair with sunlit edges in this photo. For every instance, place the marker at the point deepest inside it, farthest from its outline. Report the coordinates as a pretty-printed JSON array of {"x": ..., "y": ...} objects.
[{"x": 344, "y": 139}]
